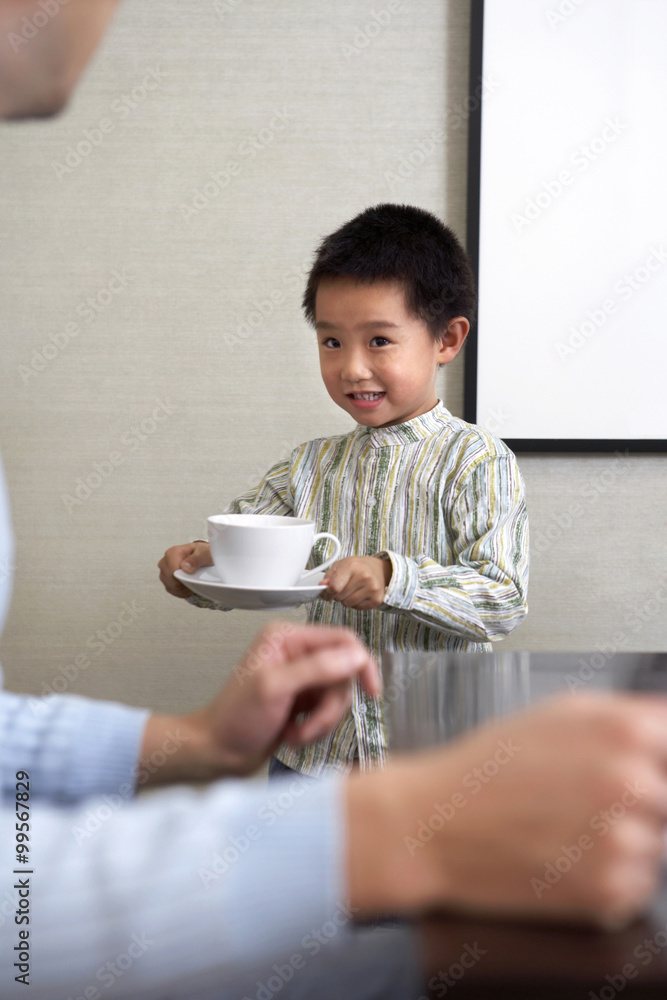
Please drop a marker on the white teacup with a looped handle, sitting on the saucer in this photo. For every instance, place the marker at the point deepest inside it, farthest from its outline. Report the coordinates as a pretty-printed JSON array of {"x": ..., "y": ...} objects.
[{"x": 264, "y": 550}]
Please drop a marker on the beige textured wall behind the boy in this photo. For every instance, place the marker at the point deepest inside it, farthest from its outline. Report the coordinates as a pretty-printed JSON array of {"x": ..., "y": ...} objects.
[{"x": 303, "y": 113}]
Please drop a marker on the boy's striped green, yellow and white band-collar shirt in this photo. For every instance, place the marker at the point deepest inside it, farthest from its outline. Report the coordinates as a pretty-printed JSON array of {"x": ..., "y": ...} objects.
[{"x": 445, "y": 501}]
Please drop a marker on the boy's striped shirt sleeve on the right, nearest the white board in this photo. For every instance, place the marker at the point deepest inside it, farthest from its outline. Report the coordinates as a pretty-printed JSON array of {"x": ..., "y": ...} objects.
[{"x": 482, "y": 594}]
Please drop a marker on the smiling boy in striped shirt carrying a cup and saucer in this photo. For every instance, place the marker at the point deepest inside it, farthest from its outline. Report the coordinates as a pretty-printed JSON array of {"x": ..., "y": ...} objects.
[{"x": 429, "y": 509}]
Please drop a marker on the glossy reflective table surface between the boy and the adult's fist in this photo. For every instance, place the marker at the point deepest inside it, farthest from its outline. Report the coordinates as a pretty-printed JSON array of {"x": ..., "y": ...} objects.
[{"x": 430, "y": 698}]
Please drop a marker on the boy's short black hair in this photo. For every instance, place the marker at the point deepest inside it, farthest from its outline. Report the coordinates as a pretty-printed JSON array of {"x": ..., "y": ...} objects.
[{"x": 406, "y": 244}]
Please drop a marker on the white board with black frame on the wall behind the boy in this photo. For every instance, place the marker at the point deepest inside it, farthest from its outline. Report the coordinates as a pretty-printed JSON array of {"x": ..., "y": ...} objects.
[{"x": 567, "y": 223}]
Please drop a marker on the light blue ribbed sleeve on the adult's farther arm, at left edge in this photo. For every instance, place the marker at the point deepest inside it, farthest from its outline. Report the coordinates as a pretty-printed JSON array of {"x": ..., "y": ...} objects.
[{"x": 70, "y": 746}]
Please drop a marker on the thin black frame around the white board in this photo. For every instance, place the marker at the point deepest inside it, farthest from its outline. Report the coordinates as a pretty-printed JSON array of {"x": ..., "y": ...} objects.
[{"x": 633, "y": 445}]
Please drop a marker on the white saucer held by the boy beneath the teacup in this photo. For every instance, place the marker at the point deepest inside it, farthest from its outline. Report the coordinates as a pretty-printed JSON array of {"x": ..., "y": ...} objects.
[{"x": 205, "y": 583}]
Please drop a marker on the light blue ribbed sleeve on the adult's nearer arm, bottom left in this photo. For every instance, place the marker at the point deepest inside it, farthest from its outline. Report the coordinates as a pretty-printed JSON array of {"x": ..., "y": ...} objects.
[{"x": 179, "y": 893}]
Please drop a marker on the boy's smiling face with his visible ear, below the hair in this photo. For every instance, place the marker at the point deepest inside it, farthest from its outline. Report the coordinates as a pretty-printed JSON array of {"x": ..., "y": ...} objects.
[{"x": 378, "y": 361}]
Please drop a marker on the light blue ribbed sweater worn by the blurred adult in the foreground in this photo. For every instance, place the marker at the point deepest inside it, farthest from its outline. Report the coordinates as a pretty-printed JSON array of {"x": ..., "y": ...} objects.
[{"x": 180, "y": 894}]
